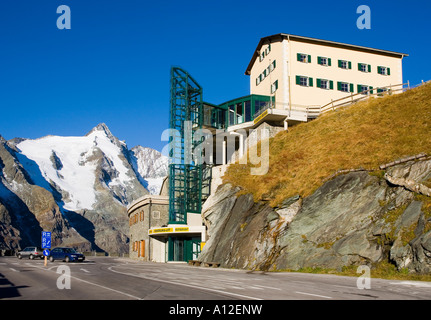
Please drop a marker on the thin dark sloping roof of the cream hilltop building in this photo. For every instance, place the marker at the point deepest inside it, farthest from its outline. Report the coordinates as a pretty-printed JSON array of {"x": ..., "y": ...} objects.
[{"x": 282, "y": 36}]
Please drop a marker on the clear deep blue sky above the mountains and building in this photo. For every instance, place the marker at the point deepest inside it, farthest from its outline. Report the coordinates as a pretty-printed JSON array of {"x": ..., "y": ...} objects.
[{"x": 113, "y": 65}]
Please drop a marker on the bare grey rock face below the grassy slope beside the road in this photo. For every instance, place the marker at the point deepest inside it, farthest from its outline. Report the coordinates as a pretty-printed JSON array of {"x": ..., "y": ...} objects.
[{"x": 355, "y": 218}]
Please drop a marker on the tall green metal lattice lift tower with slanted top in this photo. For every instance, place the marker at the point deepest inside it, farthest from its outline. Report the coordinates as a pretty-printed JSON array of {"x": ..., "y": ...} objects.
[{"x": 187, "y": 178}]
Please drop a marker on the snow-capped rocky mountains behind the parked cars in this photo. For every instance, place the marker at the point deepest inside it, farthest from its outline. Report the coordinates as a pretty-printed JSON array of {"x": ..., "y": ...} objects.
[{"x": 91, "y": 179}]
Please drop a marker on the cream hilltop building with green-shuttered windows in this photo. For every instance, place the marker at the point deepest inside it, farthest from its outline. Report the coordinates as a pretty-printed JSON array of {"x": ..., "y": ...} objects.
[{"x": 302, "y": 72}]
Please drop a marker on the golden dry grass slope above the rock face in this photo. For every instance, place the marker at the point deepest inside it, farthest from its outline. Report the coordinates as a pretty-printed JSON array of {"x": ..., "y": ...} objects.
[{"x": 365, "y": 135}]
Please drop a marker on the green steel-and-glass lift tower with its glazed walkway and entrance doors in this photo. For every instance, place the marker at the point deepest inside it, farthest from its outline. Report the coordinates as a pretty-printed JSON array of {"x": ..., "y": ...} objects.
[{"x": 190, "y": 176}]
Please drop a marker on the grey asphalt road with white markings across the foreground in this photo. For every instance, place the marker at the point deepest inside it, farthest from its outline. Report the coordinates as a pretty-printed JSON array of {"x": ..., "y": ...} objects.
[{"x": 105, "y": 278}]
